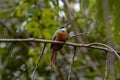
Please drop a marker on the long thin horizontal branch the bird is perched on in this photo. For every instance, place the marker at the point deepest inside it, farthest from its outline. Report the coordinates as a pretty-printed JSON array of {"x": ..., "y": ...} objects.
[{"x": 90, "y": 45}]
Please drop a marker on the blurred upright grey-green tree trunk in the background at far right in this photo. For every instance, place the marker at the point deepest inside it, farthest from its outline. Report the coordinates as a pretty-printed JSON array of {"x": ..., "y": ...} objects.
[{"x": 108, "y": 26}]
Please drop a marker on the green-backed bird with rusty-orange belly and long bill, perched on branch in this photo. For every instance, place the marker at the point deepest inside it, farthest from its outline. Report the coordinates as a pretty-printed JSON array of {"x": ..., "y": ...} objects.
[{"x": 60, "y": 35}]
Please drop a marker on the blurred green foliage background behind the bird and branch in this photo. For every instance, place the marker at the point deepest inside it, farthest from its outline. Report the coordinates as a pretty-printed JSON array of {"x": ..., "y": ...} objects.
[{"x": 40, "y": 19}]
